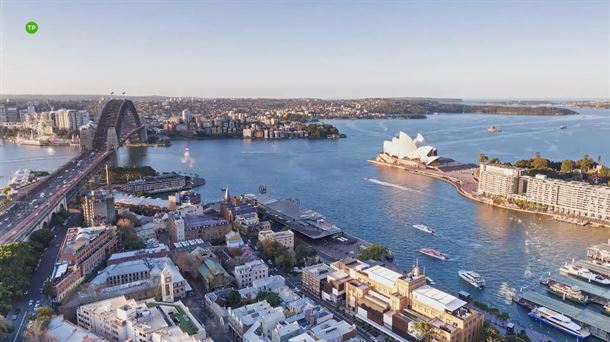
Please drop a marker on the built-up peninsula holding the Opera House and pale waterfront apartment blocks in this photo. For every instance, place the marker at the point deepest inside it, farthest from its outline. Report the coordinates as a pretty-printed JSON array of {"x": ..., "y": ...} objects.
[{"x": 527, "y": 187}]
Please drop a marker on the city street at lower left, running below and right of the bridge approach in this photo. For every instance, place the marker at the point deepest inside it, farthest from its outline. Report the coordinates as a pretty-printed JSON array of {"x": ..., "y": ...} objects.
[{"x": 34, "y": 295}]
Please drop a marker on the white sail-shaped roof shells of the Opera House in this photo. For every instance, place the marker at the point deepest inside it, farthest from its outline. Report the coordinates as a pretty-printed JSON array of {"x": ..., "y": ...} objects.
[{"x": 404, "y": 147}]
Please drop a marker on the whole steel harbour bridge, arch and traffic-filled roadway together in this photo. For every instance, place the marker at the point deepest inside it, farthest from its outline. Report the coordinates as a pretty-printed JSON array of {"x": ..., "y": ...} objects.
[{"x": 35, "y": 208}]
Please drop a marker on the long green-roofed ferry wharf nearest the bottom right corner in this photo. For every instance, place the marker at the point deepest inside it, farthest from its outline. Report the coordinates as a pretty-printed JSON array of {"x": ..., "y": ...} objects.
[{"x": 597, "y": 323}]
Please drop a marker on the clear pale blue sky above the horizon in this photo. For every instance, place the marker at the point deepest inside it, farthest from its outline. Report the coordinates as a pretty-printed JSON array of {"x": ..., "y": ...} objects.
[{"x": 327, "y": 49}]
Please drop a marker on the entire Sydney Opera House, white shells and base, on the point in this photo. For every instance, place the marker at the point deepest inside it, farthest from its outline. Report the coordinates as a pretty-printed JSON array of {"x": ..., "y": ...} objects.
[{"x": 408, "y": 151}]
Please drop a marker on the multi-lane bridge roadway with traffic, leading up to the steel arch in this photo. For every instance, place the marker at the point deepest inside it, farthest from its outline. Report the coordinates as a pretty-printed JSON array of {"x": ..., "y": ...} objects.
[{"x": 32, "y": 208}]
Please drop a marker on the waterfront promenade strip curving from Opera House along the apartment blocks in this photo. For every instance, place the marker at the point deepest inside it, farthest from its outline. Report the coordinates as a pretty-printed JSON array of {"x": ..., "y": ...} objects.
[{"x": 457, "y": 184}]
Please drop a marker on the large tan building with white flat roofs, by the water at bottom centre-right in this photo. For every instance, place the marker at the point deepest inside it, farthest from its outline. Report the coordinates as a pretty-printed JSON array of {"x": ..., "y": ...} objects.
[{"x": 391, "y": 302}]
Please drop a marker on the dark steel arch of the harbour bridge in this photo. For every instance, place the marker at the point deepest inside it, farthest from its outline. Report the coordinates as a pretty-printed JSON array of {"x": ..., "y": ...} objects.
[{"x": 118, "y": 122}]
